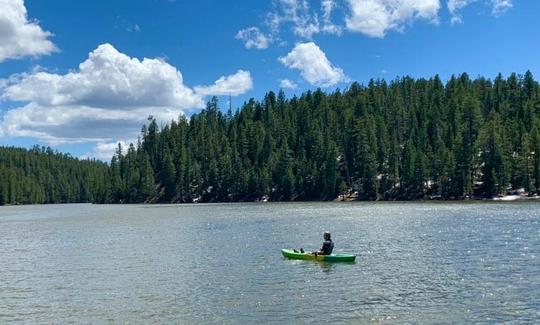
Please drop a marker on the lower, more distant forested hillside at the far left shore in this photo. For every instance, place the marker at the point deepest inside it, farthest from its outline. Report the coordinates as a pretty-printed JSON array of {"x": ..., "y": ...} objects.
[{"x": 41, "y": 175}]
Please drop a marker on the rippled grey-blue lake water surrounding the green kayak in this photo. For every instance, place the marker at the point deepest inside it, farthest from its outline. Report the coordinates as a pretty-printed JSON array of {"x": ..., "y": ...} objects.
[{"x": 417, "y": 263}]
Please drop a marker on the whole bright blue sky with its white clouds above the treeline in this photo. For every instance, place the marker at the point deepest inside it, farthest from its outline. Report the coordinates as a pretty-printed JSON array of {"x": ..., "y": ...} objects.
[{"x": 73, "y": 74}]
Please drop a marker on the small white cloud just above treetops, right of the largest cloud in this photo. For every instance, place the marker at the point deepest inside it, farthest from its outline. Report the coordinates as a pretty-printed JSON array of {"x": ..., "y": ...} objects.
[{"x": 235, "y": 84}]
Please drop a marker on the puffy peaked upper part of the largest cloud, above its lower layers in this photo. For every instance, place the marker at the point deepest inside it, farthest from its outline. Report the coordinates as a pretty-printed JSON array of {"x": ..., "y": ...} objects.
[{"x": 108, "y": 78}]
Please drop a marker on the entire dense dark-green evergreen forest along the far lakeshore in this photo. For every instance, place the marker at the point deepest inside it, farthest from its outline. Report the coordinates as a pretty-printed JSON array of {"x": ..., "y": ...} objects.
[{"x": 407, "y": 139}]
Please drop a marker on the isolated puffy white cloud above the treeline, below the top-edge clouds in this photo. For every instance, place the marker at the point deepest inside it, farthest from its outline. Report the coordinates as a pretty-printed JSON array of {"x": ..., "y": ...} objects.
[{"x": 313, "y": 64}]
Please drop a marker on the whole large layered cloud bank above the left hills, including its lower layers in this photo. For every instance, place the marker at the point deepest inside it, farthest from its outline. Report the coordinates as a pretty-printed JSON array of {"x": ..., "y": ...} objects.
[{"x": 107, "y": 99}]
